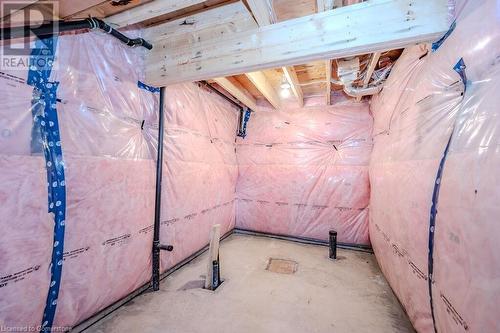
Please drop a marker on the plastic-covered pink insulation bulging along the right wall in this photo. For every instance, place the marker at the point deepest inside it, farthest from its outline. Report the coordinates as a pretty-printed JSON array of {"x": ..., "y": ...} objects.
[{"x": 423, "y": 103}]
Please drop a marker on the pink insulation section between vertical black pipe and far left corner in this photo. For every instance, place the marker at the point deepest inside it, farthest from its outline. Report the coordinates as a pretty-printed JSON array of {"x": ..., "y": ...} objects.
[{"x": 200, "y": 169}]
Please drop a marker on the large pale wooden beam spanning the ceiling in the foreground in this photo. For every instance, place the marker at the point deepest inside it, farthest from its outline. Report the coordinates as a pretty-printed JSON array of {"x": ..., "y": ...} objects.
[{"x": 362, "y": 28}]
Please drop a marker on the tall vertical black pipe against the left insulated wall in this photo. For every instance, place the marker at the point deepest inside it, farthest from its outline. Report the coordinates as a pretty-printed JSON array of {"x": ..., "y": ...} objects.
[{"x": 159, "y": 165}]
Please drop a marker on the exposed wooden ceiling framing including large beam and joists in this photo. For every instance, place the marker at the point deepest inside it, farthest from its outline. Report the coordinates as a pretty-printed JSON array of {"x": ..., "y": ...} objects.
[{"x": 253, "y": 48}]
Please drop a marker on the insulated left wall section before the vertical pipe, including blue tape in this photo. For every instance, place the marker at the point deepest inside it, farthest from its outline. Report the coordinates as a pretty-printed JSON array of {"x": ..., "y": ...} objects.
[{"x": 105, "y": 162}]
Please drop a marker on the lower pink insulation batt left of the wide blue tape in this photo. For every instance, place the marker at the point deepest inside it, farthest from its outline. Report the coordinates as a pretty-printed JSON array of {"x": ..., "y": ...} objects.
[{"x": 25, "y": 240}]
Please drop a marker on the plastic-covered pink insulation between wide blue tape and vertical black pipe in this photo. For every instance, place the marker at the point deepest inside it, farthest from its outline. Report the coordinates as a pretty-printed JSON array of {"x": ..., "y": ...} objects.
[{"x": 109, "y": 174}]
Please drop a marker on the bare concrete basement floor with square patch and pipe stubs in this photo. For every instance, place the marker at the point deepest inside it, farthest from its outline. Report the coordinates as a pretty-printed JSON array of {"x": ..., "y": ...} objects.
[{"x": 347, "y": 295}]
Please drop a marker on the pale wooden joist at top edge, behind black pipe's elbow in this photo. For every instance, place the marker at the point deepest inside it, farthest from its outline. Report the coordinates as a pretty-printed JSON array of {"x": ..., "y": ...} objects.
[{"x": 149, "y": 11}]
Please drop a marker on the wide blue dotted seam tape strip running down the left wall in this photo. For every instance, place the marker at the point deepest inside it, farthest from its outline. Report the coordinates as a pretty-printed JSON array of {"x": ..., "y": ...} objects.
[{"x": 46, "y": 122}]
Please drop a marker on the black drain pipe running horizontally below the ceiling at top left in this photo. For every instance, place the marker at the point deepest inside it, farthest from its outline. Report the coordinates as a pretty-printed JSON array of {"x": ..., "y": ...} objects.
[{"x": 53, "y": 28}]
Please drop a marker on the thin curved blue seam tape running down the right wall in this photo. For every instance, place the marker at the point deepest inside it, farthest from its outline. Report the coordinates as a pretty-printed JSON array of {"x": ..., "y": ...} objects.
[{"x": 460, "y": 69}]
